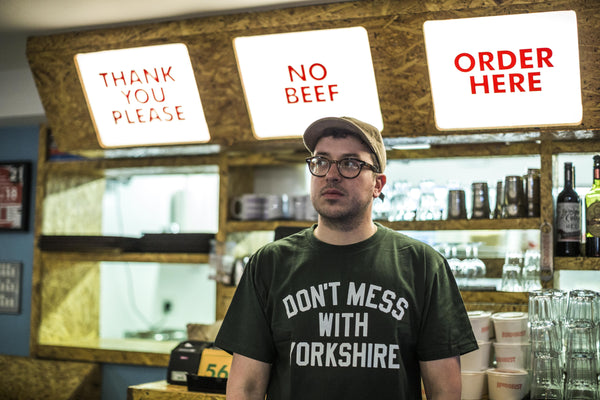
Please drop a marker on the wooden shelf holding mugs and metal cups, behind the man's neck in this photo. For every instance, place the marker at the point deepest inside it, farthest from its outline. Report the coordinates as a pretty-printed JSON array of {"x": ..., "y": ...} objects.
[{"x": 472, "y": 224}]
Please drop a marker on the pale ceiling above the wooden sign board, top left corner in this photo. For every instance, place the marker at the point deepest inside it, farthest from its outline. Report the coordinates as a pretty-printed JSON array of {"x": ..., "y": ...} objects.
[{"x": 22, "y": 18}]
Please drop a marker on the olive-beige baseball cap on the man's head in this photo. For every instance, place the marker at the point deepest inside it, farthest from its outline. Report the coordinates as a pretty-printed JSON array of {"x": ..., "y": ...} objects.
[{"x": 366, "y": 132}]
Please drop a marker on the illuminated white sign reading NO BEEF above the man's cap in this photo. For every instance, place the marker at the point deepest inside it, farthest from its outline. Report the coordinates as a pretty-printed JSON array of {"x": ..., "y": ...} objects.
[{"x": 292, "y": 79}]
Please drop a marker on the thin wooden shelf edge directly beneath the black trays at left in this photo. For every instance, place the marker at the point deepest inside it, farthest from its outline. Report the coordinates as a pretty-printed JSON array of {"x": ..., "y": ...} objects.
[{"x": 117, "y": 256}]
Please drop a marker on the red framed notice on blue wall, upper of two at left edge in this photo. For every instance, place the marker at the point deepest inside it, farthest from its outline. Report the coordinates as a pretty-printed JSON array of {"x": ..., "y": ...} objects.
[{"x": 14, "y": 195}]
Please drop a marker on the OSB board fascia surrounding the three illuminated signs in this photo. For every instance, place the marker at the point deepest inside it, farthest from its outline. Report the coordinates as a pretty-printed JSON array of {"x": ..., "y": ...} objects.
[{"x": 397, "y": 46}]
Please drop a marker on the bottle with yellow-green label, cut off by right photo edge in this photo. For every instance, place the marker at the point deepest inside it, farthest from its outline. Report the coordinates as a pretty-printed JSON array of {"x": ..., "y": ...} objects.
[{"x": 592, "y": 214}]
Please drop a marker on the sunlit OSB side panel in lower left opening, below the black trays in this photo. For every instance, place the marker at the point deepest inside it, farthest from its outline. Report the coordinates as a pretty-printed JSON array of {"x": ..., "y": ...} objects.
[{"x": 70, "y": 299}]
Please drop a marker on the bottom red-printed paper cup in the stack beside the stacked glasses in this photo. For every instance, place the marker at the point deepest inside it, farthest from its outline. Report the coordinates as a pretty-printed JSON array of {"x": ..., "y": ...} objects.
[{"x": 507, "y": 384}]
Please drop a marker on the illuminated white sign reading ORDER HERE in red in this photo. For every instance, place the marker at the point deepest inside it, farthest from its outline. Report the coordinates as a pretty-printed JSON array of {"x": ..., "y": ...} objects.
[{"x": 505, "y": 71}]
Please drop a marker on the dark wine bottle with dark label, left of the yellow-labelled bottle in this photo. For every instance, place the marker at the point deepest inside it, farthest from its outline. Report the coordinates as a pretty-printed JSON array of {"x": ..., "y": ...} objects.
[{"x": 568, "y": 218}]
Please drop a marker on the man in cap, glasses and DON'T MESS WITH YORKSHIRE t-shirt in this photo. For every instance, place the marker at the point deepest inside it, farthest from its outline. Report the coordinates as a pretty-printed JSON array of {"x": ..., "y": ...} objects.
[{"x": 347, "y": 309}]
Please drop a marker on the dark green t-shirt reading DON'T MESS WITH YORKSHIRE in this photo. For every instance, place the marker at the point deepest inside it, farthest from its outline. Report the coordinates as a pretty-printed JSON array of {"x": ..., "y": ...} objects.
[{"x": 346, "y": 322}]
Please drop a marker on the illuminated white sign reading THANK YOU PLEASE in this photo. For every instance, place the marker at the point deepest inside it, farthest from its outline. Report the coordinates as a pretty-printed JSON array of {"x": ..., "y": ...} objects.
[{"x": 143, "y": 96}]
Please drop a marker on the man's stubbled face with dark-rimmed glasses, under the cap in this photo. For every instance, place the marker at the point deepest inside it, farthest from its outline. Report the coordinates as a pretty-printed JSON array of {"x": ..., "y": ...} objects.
[{"x": 338, "y": 198}]
